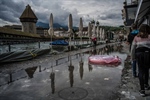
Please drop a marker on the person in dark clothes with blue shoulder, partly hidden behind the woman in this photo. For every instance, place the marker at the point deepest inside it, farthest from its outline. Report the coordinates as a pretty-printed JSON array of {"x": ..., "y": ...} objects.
[{"x": 131, "y": 36}]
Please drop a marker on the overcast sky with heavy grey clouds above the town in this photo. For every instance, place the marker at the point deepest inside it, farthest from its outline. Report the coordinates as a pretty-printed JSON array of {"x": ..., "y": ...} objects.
[{"x": 107, "y": 12}]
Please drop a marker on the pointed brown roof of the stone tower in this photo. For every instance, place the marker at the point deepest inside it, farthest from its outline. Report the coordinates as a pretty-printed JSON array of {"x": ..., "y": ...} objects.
[{"x": 28, "y": 14}]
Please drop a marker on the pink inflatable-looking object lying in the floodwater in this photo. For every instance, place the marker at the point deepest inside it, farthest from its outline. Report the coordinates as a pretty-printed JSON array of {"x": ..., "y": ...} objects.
[{"x": 104, "y": 60}]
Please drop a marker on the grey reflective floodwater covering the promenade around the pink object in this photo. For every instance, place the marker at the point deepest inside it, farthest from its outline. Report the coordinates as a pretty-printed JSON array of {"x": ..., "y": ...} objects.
[{"x": 59, "y": 78}]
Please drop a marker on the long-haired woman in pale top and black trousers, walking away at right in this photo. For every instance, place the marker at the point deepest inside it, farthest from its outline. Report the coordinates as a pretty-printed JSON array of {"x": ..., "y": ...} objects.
[{"x": 140, "y": 51}]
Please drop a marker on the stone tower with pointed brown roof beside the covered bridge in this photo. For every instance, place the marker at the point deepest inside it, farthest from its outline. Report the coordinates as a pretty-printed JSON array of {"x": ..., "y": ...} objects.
[{"x": 28, "y": 20}]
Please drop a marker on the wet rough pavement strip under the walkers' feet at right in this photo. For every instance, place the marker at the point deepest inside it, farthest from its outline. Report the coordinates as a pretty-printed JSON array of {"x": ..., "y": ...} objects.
[{"x": 129, "y": 88}]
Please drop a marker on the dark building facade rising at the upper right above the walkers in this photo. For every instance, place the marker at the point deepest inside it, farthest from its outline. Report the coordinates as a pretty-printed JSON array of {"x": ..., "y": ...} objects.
[{"x": 136, "y": 11}]
